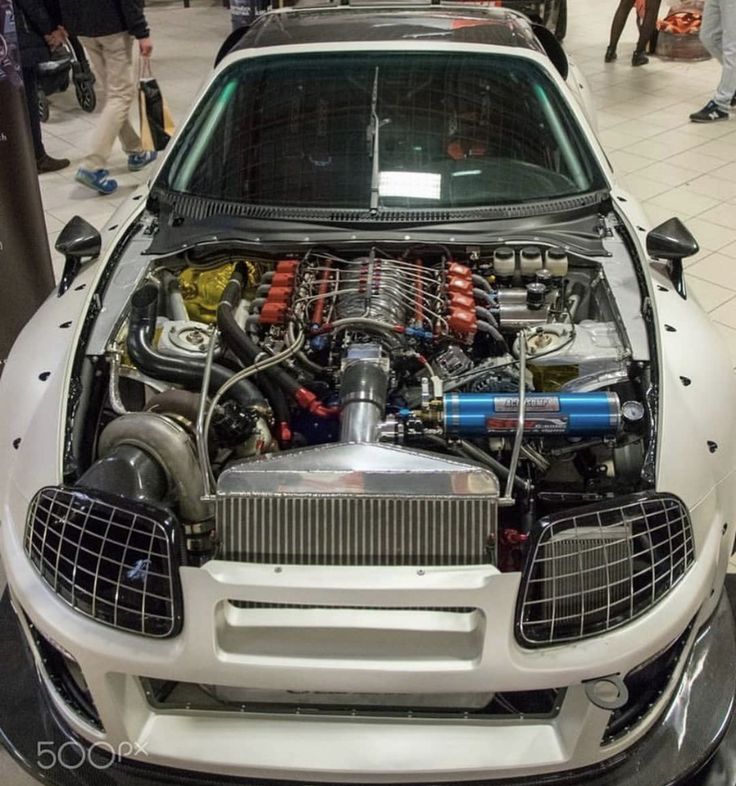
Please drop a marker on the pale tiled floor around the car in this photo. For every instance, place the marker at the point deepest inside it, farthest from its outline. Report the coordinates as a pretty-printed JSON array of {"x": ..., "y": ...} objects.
[{"x": 673, "y": 166}]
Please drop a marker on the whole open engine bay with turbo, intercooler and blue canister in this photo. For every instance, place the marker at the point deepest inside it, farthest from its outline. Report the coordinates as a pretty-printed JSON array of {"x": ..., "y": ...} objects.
[{"x": 415, "y": 405}]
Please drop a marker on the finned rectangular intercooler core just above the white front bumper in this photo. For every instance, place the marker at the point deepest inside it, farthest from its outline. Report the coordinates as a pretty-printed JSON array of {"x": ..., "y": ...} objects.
[{"x": 356, "y": 530}]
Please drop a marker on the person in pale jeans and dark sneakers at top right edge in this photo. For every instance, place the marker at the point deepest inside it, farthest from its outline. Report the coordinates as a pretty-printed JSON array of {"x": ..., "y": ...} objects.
[{"x": 718, "y": 35}]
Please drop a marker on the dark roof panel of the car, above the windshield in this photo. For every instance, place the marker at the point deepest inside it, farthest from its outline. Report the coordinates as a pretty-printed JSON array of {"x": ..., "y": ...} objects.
[{"x": 320, "y": 23}]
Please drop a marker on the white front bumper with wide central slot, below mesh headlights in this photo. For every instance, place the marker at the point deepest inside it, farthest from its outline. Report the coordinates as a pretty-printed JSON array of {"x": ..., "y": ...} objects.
[{"x": 371, "y": 645}]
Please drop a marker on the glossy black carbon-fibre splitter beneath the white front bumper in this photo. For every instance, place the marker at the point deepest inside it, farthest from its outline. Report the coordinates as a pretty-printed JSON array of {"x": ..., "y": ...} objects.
[{"x": 698, "y": 723}]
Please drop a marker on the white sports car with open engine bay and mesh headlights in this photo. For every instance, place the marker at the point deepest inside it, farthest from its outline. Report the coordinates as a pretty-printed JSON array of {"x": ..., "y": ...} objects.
[{"x": 376, "y": 439}]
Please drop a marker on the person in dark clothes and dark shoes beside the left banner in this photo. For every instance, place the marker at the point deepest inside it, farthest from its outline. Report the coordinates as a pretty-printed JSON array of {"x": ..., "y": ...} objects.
[{"x": 38, "y": 30}]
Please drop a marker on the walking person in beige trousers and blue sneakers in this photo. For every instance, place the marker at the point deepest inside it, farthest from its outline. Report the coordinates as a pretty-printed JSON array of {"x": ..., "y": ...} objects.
[{"x": 107, "y": 30}]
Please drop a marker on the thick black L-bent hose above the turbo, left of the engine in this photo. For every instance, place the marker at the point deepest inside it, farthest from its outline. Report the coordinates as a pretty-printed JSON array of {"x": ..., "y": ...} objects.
[{"x": 185, "y": 372}]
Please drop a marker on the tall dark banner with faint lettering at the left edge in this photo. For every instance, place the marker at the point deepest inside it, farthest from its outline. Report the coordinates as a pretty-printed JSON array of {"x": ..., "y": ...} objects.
[{"x": 26, "y": 274}]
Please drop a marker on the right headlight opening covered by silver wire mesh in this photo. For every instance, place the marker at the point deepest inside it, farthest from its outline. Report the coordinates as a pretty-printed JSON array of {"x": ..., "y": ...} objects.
[{"x": 599, "y": 567}]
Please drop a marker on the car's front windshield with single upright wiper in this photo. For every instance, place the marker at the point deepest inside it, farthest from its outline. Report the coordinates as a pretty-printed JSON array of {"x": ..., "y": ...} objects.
[{"x": 370, "y": 130}]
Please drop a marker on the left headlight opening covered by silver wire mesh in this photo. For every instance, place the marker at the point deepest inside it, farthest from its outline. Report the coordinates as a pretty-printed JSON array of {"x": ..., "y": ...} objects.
[{"x": 112, "y": 559}]
